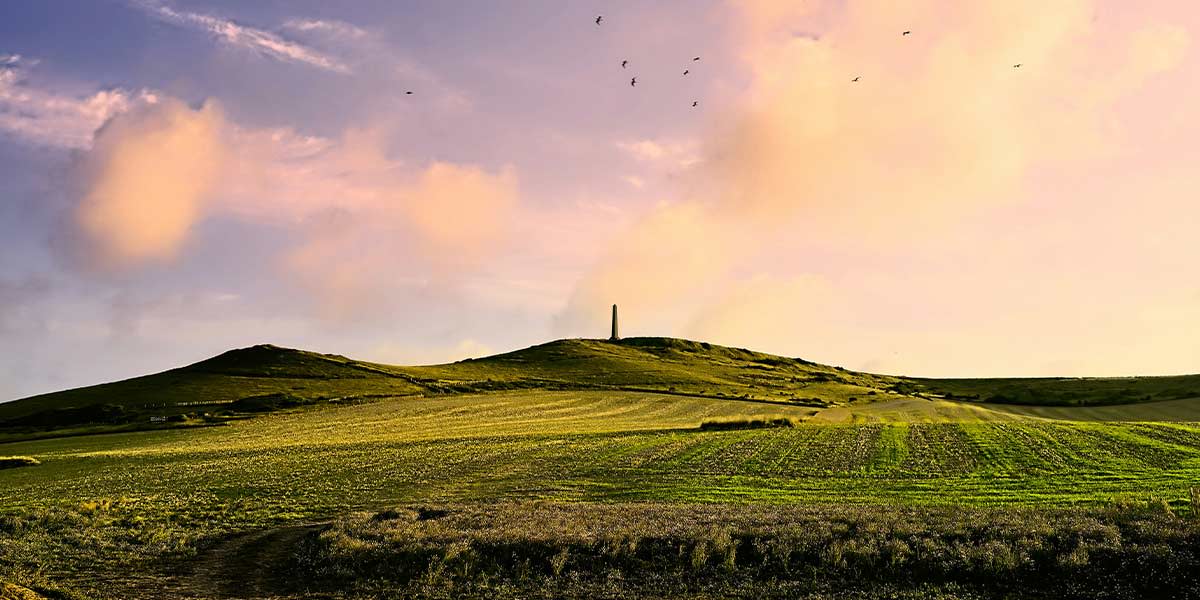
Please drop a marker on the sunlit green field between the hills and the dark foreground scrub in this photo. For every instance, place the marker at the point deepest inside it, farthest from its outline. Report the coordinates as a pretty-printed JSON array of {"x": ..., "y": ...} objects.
[{"x": 181, "y": 488}]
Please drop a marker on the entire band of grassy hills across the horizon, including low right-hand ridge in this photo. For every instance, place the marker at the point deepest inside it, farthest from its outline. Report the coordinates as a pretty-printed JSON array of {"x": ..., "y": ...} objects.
[{"x": 265, "y": 379}]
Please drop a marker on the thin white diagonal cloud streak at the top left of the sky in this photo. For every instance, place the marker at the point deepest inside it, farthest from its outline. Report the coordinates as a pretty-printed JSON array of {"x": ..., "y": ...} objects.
[{"x": 243, "y": 37}]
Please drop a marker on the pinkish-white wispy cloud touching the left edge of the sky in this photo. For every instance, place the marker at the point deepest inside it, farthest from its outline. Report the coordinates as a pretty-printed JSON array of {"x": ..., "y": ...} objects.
[{"x": 50, "y": 118}]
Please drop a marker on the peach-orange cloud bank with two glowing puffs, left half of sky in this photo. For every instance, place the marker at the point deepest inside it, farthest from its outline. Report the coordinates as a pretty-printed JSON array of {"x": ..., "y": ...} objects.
[{"x": 361, "y": 221}]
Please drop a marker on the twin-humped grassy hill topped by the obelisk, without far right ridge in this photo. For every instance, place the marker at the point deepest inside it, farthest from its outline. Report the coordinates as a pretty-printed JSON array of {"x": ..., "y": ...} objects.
[{"x": 224, "y": 383}]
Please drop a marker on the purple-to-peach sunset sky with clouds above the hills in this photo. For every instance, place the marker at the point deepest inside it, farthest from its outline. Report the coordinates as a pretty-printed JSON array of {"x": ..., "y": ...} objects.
[{"x": 184, "y": 177}]
